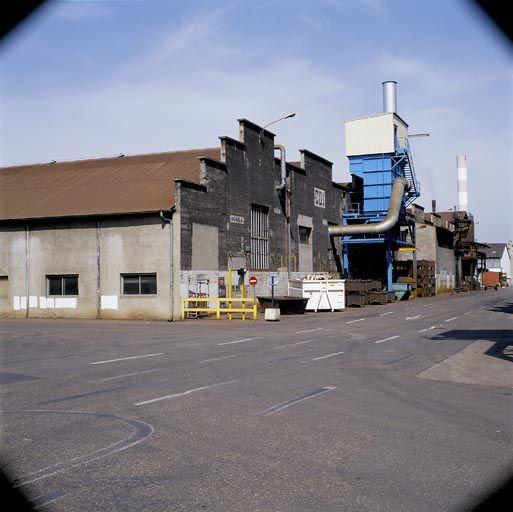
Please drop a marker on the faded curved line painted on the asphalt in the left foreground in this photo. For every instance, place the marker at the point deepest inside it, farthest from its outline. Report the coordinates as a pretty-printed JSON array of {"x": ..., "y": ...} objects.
[{"x": 141, "y": 432}]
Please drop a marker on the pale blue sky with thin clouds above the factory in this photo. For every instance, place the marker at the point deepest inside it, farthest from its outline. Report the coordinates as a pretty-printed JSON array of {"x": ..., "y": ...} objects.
[{"x": 85, "y": 79}]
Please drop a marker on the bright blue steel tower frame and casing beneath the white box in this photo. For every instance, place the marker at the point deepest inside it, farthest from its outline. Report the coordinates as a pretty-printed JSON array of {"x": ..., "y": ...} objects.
[{"x": 378, "y": 173}]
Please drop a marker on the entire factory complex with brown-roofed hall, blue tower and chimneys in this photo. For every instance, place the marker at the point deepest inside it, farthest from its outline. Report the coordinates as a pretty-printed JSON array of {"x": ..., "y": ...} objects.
[{"x": 132, "y": 236}]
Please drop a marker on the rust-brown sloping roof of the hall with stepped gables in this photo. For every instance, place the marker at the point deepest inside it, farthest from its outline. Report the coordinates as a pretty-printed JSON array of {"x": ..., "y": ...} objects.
[{"x": 128, "y": 184}]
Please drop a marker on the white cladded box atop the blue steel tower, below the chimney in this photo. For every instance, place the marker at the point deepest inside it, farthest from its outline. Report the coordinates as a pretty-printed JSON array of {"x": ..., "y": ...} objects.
[{"x": 370, "y": 135}]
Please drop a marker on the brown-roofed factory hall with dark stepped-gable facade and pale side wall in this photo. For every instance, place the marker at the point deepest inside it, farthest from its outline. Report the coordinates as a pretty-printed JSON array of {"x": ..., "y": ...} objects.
[{"x": 127, "y": 237}]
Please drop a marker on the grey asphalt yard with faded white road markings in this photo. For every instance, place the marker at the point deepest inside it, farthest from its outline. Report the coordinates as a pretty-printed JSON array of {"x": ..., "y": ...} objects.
[{"x": 400, "y": 407}]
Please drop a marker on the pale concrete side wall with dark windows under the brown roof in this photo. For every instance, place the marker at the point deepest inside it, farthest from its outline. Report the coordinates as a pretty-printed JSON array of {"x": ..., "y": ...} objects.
[{"x": 98, "y": 252}]
